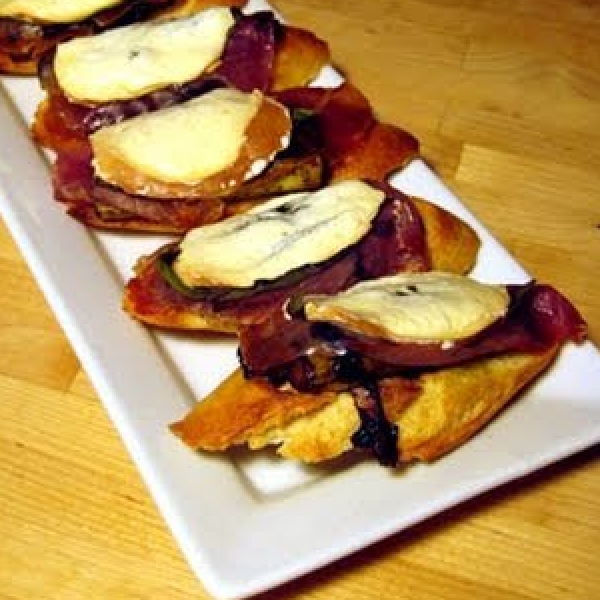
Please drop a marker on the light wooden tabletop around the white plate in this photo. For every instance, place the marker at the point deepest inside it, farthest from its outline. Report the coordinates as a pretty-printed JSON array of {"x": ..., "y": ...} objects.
[{"x": 505, "y": 98}]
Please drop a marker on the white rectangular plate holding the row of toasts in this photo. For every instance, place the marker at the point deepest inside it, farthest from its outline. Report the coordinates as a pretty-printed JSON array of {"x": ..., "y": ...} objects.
[{"x": 248, "y": 523}]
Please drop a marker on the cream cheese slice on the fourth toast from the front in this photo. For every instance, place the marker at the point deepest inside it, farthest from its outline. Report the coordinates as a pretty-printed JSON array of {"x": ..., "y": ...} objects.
[{"x": 131, "y": 61}]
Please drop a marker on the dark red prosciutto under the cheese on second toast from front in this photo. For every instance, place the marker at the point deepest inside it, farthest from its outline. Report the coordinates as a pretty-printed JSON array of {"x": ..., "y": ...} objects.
[{"x": 397, "y": 230}]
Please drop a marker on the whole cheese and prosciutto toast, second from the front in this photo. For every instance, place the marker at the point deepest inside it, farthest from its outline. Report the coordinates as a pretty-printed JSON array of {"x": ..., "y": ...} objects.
[{"x": 227, "y": 275}]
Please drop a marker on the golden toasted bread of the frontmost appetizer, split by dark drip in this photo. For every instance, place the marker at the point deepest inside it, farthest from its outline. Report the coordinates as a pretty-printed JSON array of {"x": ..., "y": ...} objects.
[{"x": 435, "y": 413}]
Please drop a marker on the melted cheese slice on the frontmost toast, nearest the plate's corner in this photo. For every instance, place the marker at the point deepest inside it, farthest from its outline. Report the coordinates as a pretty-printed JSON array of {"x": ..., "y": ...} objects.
[{"x": 416, "y": 307}]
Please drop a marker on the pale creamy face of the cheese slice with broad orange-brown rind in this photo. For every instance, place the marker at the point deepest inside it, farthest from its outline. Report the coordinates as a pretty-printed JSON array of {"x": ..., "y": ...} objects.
[{"x": 183, "y": 144}]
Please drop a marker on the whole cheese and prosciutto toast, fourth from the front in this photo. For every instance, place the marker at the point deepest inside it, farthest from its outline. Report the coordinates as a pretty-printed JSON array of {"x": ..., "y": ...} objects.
[{"x": 103, "y": 79}]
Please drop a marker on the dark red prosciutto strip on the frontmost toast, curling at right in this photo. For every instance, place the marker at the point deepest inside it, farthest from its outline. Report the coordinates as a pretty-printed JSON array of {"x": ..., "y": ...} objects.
[{"x": 312, "y": 354}]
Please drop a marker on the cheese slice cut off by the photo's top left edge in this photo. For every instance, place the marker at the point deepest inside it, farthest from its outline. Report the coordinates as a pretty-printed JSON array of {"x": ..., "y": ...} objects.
[{"x": 53, "y": 11}]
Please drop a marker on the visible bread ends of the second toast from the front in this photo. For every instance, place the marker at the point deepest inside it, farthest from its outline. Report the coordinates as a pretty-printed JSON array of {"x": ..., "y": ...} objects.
[{"x": 452, "y": 244}]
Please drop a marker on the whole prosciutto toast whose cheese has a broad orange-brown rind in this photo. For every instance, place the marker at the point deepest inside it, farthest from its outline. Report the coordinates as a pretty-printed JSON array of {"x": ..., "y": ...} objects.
[{"x": 180, "y": 167}]
